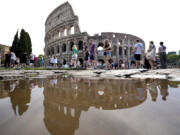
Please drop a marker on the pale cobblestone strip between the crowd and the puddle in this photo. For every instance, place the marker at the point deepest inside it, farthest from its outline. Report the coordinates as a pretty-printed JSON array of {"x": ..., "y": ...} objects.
[{"x": 170, "y": 74}]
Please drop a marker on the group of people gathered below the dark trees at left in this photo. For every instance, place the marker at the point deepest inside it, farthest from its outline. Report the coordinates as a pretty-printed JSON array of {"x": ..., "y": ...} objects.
[{"x": 23, "y": 60}]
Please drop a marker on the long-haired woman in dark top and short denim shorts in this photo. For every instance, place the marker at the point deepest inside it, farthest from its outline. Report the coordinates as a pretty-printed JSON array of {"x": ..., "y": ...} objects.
[{"x": 107, "y": 52}]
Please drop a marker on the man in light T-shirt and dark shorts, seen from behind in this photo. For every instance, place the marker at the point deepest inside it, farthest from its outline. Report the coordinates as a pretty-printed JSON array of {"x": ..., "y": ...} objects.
[{"x": 138, "y": 52}]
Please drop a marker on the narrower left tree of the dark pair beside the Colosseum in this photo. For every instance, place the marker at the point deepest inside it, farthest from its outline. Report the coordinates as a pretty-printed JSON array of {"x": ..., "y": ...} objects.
[{"x": 14, "y": 47}]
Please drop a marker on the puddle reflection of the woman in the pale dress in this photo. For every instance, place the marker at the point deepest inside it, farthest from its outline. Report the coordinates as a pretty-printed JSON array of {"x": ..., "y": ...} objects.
[{"x": 152, "y": 87}]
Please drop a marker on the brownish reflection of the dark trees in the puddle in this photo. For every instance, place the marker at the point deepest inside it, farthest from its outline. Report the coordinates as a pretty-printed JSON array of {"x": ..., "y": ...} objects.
[{"x": 20, "y": 97}]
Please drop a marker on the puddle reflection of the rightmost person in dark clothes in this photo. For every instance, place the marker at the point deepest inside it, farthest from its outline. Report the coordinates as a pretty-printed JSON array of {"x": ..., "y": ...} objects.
[{"x": 163, "y": 86}]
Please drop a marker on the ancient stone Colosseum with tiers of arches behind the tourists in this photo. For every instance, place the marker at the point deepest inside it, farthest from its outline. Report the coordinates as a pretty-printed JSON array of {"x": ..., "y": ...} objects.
[{"x": 63, "y": 31}]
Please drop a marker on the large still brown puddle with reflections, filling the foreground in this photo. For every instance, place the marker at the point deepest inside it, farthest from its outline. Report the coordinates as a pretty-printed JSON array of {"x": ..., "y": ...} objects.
[{"x": 65, "y": 105}]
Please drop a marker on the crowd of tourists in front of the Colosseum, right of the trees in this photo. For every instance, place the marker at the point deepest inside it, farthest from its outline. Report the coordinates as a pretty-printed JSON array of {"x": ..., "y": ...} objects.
[{"x": 152, "y": 60}]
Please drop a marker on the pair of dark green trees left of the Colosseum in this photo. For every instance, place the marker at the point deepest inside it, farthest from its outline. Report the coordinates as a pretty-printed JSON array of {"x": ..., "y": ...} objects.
[{"x": 22, "y": 44}]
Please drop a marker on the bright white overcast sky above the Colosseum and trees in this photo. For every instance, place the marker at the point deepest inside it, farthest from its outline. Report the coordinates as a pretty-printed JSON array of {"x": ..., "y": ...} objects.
[{"x": 156, "y": 20}]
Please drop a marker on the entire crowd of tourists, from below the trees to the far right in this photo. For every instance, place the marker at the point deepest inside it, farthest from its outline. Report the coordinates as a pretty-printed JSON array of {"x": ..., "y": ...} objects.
[{"x": 152, "y": 60}]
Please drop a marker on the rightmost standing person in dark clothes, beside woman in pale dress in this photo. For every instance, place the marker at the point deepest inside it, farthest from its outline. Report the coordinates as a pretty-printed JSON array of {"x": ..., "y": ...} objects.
[{"x": 162, "y": 54}]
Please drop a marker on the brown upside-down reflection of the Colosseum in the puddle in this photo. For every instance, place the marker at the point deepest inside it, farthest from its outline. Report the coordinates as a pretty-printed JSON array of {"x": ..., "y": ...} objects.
[{"x": 64, "y": 102}]
